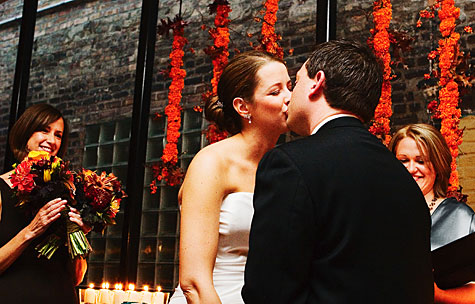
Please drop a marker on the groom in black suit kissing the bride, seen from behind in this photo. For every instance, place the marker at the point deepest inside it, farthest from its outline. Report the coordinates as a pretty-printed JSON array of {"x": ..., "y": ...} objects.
[{"x": 337, "y": 218}]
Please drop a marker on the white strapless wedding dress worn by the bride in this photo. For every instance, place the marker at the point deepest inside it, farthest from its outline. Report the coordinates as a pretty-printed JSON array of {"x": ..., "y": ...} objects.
[{"x": 233, "y": 244}]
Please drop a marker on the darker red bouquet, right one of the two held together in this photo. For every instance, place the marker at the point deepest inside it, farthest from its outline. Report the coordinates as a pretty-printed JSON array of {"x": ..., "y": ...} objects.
[{"x": 98, "y": 198}]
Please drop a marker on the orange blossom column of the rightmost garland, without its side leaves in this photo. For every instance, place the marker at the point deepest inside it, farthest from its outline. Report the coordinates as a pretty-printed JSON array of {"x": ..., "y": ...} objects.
[{"x": 448, "y": 110}]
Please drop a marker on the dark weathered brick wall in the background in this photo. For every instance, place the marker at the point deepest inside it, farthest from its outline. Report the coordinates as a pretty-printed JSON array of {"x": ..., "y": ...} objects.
[{"x": 85, "y": 53}]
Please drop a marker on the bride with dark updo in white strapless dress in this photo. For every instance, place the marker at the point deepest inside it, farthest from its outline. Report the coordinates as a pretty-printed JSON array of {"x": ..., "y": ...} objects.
[{"x": 216, "y": 195}]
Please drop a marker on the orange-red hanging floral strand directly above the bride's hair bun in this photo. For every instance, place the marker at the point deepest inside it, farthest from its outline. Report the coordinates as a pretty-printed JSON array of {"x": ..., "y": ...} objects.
[{"x": 219, "y": 54}]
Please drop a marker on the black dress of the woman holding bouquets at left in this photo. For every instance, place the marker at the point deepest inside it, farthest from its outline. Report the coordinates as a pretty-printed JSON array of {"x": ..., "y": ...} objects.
[{"x": 31, "y": 279}]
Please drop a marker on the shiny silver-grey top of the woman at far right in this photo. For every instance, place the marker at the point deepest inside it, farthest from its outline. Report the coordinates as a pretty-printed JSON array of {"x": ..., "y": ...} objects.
[{"x": 451, "y": 220}]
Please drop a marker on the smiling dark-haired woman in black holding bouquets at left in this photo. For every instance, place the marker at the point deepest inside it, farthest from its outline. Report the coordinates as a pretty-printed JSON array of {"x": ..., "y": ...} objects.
[{"x": 24, "y": 277}]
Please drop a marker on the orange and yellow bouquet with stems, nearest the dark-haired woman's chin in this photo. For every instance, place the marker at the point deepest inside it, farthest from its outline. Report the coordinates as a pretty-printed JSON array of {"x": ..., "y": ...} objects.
[{"x": 38, "y": 179}]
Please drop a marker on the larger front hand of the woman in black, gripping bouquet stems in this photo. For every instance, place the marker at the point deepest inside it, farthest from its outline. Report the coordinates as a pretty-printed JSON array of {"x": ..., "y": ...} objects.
[{"x": 45, "y": 217}]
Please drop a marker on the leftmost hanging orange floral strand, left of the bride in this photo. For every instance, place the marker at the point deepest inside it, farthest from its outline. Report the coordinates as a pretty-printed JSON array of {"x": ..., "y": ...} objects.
[{"x": 167, "y": 169}]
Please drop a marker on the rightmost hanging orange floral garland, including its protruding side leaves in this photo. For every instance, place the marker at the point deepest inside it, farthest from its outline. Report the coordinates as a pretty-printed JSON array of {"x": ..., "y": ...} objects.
[{"x": 450, "y": 60}]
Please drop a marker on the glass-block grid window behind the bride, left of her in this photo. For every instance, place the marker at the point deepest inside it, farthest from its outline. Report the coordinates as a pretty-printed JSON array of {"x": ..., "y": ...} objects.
[{"x": 106, "y": 149}]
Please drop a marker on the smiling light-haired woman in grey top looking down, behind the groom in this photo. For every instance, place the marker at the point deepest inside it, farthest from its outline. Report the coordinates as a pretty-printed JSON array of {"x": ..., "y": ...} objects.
[{"x": 422, "y": 149}]
